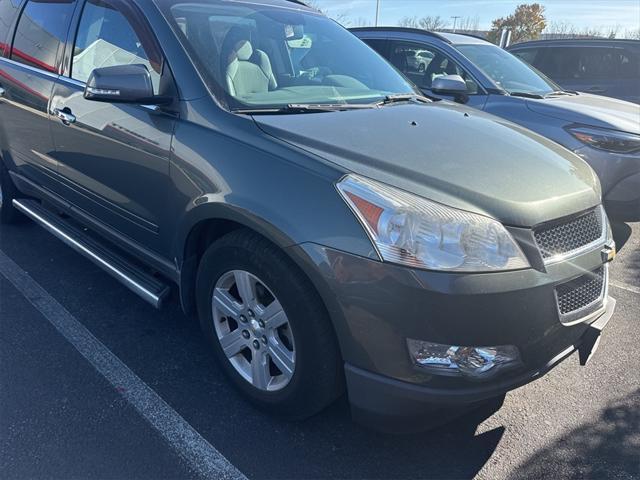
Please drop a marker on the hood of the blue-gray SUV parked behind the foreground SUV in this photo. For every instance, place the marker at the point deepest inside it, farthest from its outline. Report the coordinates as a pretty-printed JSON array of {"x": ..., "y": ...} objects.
[{"x": 592, "y": 110}]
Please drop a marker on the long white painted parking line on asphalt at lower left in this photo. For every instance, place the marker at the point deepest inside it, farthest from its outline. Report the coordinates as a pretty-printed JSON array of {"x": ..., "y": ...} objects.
[{"x": 199, "y": 454}]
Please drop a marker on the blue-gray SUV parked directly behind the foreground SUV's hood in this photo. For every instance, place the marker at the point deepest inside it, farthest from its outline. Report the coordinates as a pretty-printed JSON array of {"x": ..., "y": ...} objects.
[{"x": 603, "y": 131}]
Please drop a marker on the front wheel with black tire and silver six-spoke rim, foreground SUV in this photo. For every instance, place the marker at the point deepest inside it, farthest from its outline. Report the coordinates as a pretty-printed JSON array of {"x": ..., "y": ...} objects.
[{"x": 308, "y": 339}]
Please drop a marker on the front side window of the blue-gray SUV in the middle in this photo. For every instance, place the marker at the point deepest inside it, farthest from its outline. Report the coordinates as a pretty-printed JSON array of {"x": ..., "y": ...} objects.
[{"x": 422, "y": 64}]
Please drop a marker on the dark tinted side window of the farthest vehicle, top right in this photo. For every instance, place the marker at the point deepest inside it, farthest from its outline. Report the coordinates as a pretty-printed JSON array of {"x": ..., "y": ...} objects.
[{"x": 588, "y": 63}]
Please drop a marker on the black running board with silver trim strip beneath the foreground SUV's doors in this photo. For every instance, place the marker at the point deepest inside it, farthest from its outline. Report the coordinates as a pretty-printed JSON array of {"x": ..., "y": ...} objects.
[{"x": 131, "y": 276}]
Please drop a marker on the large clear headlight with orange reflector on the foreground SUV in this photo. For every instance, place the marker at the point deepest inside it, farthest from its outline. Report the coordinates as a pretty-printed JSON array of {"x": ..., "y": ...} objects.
[{"x": 413, "y": 231}]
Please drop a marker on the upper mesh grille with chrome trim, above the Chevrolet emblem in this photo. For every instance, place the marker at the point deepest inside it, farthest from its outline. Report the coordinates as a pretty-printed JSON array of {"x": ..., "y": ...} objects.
[{"x": 563, "y": 239}]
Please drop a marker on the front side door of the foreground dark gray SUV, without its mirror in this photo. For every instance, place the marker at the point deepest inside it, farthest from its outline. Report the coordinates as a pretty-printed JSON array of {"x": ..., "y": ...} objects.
[{"x": 114, "y": 158}]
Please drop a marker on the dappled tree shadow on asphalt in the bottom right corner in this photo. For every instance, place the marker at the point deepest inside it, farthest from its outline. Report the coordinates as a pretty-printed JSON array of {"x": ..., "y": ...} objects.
[{"x": 606, "y": 448}]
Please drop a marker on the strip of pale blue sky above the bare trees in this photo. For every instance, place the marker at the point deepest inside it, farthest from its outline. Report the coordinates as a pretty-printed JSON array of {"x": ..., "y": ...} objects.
[{"x": 581, "y": 13}]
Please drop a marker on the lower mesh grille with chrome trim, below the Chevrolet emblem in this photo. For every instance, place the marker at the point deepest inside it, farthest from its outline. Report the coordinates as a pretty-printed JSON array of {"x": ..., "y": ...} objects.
[{"x": 581, "y": 296}]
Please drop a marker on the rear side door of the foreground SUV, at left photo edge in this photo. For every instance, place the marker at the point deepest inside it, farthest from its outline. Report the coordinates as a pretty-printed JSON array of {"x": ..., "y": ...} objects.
[{"x": 28, "y": 72}]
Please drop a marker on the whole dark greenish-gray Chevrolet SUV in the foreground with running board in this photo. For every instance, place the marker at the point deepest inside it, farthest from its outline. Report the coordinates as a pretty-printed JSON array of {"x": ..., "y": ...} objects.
[{"x": 331, "y": 228}]
